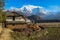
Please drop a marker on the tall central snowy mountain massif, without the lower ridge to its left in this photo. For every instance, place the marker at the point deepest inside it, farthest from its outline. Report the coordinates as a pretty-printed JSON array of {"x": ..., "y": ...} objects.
[{"x": 33, "y": 9}]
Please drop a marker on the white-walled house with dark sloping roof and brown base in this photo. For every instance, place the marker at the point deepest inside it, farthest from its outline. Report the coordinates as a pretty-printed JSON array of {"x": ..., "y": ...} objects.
[{"x": 15, "y": 20}]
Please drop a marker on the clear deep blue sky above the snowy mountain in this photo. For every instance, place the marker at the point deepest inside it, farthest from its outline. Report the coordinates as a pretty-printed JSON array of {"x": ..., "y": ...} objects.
[{"x": 20, "y": 3}]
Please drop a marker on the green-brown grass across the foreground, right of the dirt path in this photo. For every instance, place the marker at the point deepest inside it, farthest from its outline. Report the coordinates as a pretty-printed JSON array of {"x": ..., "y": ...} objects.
[{"x": 48, "y": 34}]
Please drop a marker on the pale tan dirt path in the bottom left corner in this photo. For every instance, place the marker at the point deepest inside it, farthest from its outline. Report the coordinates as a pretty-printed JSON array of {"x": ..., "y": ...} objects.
[{"x": 5, "y": 34}]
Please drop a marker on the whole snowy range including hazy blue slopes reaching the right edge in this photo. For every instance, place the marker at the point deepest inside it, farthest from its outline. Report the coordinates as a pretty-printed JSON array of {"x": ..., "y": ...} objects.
[{"x": 29, "y": 10}]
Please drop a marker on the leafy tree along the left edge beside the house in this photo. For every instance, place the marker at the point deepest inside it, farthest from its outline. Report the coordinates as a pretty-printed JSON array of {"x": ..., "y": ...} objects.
[{"x": 2, "y": 12}]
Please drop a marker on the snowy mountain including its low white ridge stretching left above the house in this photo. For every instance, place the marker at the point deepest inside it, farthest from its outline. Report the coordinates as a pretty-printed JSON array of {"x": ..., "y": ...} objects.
[{"x": 30, "y": 10}]
